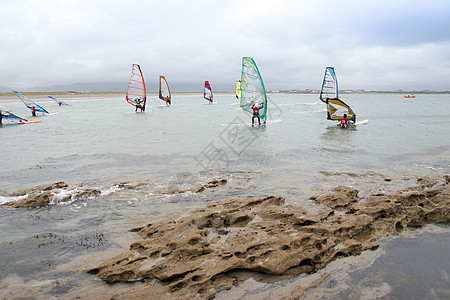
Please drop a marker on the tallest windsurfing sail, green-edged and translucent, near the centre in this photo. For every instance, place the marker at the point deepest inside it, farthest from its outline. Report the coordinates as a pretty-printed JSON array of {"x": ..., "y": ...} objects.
[{"x": 252, "y": 90}]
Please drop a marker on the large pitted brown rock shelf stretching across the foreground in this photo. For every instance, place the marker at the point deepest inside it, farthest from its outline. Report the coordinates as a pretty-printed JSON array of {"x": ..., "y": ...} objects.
[{"x": 192, "y": 254}]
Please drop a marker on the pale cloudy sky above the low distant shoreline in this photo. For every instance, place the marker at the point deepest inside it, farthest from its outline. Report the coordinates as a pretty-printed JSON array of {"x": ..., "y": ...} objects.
[{"x": 373, "y": 44}]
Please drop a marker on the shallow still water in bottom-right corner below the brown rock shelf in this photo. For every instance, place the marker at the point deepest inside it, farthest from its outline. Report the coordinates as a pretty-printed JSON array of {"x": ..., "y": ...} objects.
[{"x": 413, "y": 265}]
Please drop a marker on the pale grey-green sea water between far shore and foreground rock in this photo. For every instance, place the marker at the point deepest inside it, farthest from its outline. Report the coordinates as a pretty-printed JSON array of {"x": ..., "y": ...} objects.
[{"x": 100, "y": 142}]
